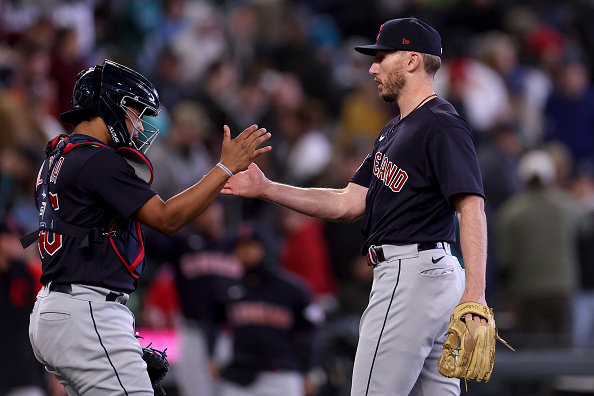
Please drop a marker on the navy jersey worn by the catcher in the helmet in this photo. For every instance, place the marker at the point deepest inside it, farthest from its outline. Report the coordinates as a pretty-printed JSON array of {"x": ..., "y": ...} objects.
[{"x": 90, "y": 187}]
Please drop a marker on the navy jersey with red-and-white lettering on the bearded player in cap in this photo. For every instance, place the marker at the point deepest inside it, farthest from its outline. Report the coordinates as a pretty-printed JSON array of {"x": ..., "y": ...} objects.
[{"x": 416, "y": 167}]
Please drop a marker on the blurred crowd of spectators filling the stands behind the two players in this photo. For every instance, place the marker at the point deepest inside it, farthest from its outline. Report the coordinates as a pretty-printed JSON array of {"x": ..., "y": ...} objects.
[{"x": 519, "y": 71}]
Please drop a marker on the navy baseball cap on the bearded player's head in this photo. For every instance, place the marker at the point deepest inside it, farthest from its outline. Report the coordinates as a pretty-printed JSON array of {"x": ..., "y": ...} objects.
[{"x": 408, "y": 34}]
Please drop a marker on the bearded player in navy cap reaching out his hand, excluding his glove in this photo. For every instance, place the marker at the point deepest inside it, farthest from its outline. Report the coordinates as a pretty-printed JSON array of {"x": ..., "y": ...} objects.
[{"x": 421, "y": 171}]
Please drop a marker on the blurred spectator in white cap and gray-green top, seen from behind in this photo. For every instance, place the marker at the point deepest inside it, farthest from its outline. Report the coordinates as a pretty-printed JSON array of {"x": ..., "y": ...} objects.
[{"x": 537, "y": 238}]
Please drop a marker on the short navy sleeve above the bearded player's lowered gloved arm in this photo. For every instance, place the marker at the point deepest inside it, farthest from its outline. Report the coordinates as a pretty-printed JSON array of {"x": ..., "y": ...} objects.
[{"x": 454, "y": 163}]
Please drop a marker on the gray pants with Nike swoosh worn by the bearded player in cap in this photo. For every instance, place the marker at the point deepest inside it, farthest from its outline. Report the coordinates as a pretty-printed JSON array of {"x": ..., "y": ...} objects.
[{"x": 403, "y": 328}]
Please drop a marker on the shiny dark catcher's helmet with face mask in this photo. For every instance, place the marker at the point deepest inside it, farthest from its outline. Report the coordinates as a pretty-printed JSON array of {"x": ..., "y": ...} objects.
[{"x": 108, "y": 91}]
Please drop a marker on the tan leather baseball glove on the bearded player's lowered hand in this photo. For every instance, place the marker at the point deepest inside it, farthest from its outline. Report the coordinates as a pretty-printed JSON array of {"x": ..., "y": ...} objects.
[{"x": 469, "y": 349}]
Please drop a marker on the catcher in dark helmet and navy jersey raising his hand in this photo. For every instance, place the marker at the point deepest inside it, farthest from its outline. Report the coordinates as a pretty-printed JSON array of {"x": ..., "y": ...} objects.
[{"x": 92, "y": 202}]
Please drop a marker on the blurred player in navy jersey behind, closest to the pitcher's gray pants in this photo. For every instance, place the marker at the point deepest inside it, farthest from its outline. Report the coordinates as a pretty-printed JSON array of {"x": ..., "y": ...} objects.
[{"x": 274, "y": 321}]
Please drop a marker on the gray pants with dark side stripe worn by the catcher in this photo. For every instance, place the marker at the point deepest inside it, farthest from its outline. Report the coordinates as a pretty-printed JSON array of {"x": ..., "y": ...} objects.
[{"x": 88, "y": 343}]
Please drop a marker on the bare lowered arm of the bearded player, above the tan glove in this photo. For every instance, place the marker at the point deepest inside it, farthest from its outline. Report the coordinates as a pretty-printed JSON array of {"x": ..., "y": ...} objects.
[{"x": 473, "y": 241}]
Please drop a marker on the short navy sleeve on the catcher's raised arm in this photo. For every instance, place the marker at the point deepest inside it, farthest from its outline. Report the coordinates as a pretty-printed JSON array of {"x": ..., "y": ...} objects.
[{"x": 108, "y": 176}]
